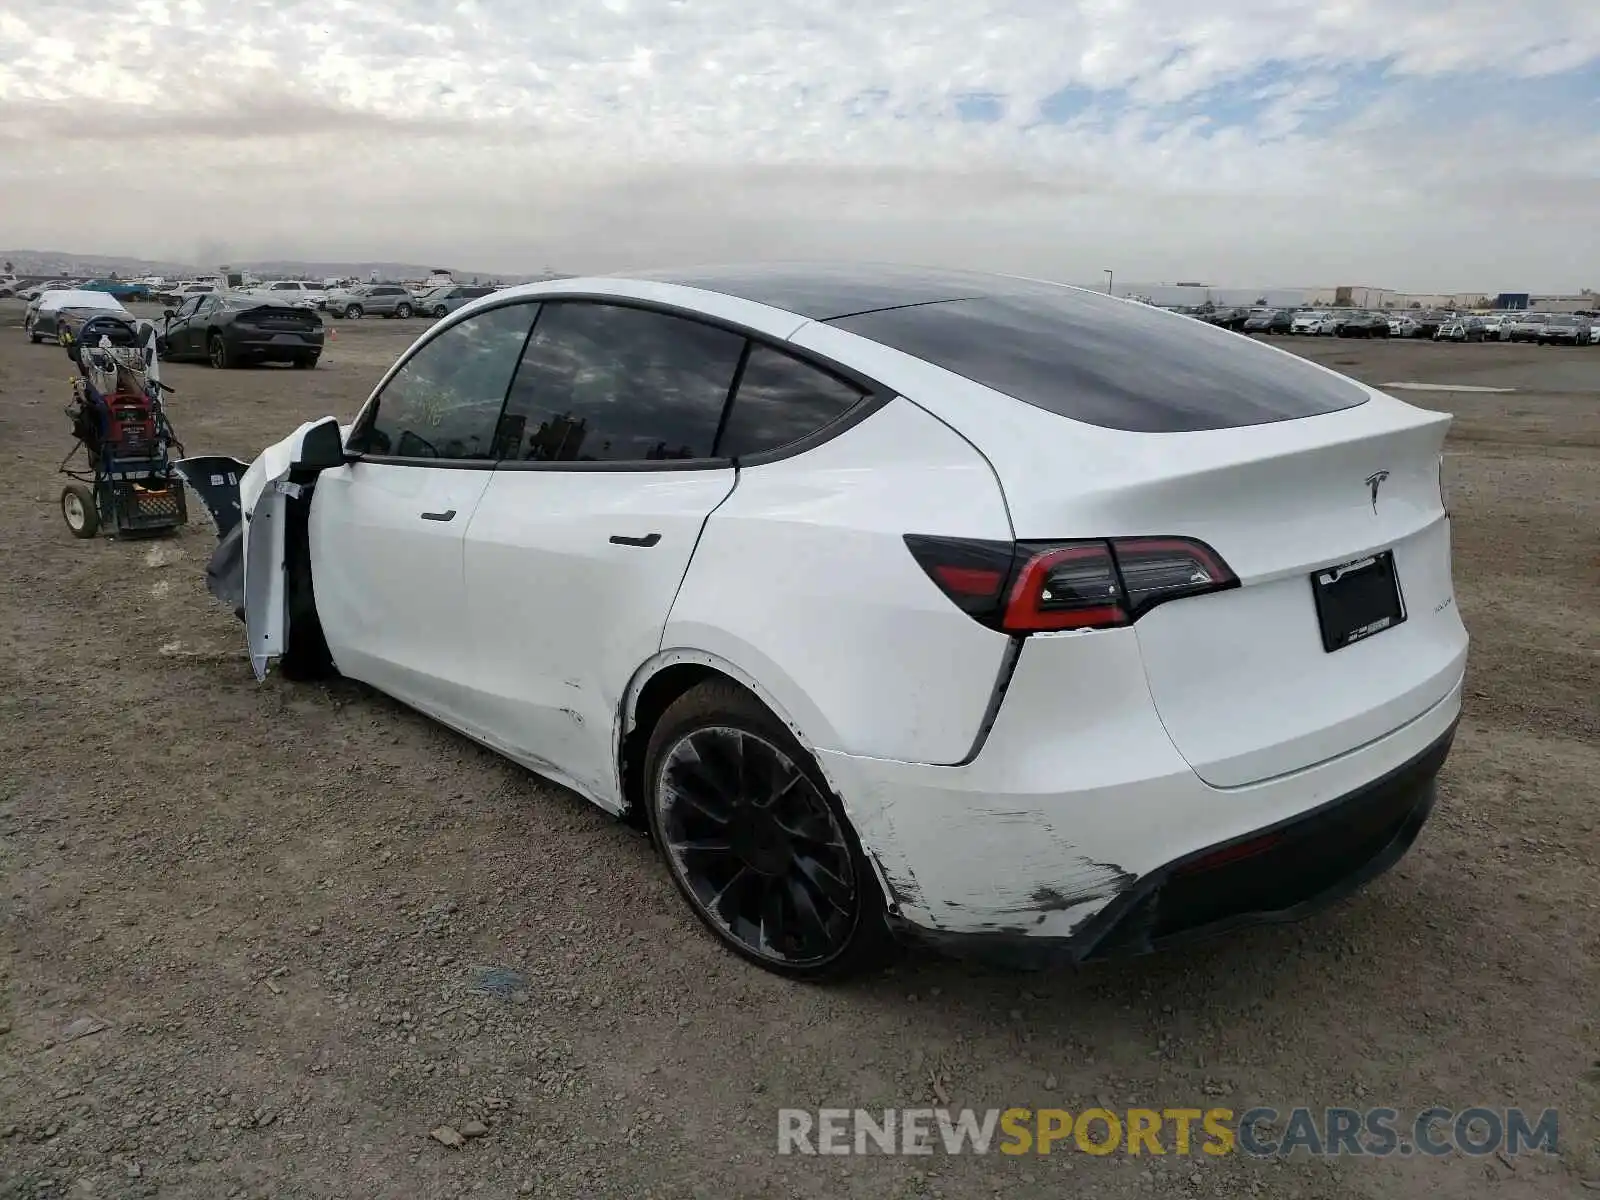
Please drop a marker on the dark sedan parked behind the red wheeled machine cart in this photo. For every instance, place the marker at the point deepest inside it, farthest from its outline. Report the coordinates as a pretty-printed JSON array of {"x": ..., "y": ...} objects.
[{"x": 238, "y": 327}]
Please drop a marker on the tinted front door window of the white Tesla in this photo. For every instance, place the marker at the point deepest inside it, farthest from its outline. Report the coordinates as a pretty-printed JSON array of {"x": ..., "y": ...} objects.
[{"x": 446, "y": 399}]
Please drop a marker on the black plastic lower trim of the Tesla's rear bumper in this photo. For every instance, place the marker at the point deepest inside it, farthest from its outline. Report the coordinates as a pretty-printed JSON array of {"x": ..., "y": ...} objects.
[{"x": 1279, "y": 873}]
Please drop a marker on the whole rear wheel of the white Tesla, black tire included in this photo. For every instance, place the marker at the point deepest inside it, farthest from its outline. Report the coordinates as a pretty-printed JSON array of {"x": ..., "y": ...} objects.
[{"x": 759, "y": 862}]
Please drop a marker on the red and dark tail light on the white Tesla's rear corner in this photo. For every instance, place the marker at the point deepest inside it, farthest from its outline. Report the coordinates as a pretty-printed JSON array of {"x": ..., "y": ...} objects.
[{"x": 1039, "y": 588}]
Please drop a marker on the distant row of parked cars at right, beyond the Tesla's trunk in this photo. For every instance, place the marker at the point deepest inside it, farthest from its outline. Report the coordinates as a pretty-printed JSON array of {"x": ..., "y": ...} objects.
[{"x": 1546, "y": 329}]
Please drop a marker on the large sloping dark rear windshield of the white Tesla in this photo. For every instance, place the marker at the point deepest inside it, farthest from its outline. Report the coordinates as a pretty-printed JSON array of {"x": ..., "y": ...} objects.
[{"x": 1110, "y": 362}]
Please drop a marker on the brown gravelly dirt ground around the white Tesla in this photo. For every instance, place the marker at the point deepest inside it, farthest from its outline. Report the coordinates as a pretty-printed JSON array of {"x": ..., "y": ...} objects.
[{"x": 273, "y": 903}]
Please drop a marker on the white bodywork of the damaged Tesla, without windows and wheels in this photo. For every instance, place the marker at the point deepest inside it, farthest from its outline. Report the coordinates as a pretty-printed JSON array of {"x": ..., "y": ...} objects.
[{"x": 1009, "y": 785}]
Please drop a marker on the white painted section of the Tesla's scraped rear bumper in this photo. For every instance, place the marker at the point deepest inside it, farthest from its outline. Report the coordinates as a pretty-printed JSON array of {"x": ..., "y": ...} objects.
[{"x": 1078, "y": 796}]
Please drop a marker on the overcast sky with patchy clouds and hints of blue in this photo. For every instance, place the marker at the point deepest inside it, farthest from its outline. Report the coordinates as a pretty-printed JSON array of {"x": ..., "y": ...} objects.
[{"x": 1415, "y": 145}]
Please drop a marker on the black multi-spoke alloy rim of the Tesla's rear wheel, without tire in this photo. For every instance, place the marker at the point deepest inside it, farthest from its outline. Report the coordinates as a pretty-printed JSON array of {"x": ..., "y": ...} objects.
[{"x": 758, "y": 847}]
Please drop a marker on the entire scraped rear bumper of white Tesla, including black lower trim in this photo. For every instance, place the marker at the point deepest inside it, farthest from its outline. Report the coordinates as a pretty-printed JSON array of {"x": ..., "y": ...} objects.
[{"x": 1079, "y": 809}]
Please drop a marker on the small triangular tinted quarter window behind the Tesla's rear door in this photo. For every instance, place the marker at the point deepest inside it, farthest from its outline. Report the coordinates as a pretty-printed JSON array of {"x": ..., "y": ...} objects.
[{"x": 780, "y": 401}]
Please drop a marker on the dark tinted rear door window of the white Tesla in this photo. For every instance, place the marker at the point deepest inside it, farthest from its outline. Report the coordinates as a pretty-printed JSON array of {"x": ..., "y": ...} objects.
[{"x": 604, "y": 383}]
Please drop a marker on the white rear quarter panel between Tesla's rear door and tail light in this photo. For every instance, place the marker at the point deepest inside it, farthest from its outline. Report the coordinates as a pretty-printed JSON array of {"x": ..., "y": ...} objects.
[{"x": 804, "y": 583}]
